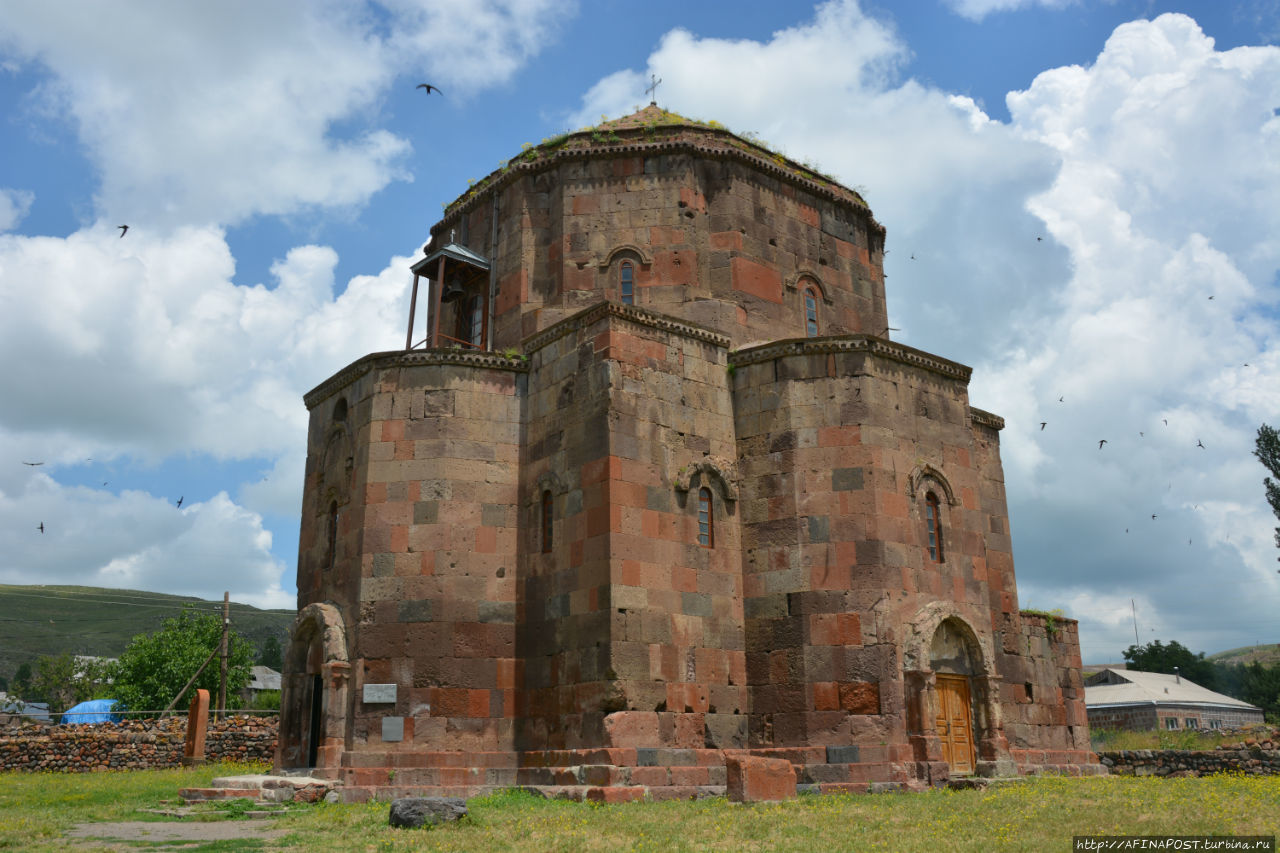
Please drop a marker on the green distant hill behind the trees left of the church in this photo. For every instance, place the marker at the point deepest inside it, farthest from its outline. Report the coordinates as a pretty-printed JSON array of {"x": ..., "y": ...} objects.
[{"x": 93, "y": 621}]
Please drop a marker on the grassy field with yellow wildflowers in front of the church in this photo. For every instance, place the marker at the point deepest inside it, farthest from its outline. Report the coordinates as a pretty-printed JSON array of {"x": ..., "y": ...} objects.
[{"x": 38, "y": 813}]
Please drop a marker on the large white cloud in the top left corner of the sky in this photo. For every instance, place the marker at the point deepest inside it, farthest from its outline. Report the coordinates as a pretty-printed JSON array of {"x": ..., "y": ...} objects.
[{"x": 198, "y": 113}]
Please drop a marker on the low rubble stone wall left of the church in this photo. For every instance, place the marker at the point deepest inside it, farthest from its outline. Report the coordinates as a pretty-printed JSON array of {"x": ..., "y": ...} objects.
[{"x": 132, "y": 745}]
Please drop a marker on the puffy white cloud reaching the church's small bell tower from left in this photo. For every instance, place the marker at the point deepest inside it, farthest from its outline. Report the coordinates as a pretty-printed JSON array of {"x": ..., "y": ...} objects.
[{"x": 154, "y": 352}]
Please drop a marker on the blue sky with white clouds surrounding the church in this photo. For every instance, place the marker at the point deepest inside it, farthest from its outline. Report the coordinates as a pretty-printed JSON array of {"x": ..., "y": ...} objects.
[{"x": 1082, "y": 202}]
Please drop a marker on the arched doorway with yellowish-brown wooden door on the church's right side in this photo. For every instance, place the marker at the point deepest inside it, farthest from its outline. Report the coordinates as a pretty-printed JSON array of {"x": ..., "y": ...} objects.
[{"x": 957, "y": 662}]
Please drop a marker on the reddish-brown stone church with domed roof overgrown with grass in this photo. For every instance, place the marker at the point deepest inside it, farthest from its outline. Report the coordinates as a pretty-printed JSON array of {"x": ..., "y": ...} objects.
[{"x": 652, "y": 487}]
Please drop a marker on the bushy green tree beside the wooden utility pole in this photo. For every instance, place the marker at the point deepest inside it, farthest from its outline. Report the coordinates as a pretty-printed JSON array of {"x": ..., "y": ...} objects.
[{"x": 157, "y": 667}]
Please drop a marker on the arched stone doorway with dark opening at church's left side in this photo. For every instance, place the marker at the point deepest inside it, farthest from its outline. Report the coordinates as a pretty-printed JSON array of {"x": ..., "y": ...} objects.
[{"x": 314, "y": 692}]
